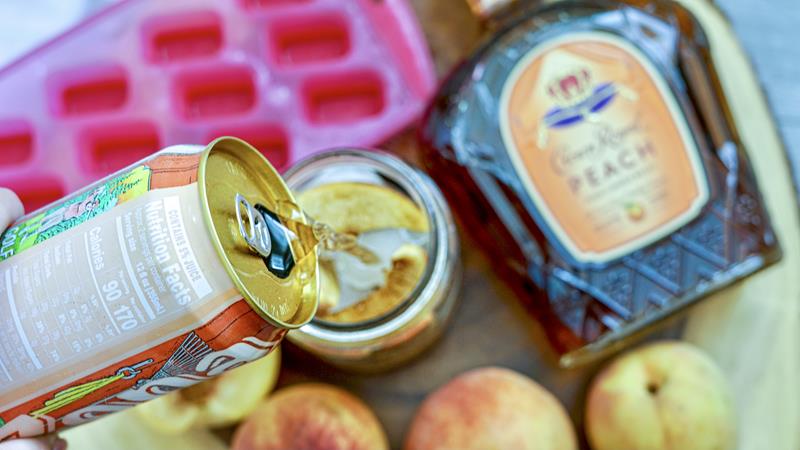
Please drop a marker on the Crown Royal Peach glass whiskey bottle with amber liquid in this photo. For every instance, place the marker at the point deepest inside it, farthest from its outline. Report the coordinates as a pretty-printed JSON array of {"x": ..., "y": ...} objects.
[{"x": 589, "y": 148}]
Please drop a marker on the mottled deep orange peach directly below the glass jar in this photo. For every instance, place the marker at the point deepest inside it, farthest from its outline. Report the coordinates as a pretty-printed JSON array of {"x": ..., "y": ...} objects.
[{"x": 311, "y": 417}]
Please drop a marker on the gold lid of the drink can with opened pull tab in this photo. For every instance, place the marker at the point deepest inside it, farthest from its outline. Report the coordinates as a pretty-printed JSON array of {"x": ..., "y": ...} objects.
[{"x": 231, "y": 169}]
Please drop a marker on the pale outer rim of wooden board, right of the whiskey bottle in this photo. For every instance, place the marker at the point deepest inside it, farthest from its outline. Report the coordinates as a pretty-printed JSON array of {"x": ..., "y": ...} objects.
[{"x": 753, "y": 329}]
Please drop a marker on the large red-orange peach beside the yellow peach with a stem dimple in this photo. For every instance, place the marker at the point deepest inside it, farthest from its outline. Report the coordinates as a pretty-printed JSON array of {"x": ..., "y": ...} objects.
[{"x": 491, "y": 408}]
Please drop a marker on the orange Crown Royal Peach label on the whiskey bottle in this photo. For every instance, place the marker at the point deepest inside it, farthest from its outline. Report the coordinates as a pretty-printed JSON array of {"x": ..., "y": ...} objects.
[{"x": 601, "y": 145}]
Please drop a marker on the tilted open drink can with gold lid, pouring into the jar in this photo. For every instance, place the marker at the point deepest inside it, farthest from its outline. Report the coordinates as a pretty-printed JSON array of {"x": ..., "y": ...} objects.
[{"x": 155, "y": 278}]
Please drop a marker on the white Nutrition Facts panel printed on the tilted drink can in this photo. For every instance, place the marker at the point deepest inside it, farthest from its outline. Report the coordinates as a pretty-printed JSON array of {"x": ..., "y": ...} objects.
[{"x": 99, "y": 284}]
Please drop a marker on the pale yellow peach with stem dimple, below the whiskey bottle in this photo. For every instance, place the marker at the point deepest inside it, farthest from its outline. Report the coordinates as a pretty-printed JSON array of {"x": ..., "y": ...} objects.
[{"x": 664, "y": 396}]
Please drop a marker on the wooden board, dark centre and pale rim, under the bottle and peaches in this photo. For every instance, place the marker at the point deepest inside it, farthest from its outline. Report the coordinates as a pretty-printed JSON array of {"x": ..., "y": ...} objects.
[{"x": 751, "y": 330}]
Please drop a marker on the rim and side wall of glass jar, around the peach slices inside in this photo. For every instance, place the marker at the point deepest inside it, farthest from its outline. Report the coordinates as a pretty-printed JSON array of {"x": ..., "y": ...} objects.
[{"x": 395, "y": 337}]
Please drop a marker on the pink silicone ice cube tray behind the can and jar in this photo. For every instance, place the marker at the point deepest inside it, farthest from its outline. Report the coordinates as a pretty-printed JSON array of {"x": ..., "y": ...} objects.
[{"x": 292, "y": 77}]
